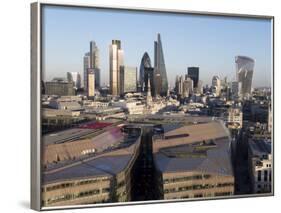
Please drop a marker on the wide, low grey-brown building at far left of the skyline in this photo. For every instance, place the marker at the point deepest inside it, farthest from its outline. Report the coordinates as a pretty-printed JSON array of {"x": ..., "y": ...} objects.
[{"x": 60, "y": 87}]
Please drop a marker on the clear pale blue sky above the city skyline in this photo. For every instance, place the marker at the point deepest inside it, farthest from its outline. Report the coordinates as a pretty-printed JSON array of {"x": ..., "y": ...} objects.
[{"x": 188, "y": 40}]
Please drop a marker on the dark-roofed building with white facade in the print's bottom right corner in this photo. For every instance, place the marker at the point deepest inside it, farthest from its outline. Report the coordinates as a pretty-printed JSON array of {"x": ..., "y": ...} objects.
[{"x": 260, "y": 166}]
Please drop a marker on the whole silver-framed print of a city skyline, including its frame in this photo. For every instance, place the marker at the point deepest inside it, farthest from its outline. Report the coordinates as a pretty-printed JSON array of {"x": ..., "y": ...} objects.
[{"x": 138, "y": 105}]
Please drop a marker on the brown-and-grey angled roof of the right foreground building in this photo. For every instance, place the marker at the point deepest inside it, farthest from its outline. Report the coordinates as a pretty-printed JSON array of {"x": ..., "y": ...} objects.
[{"x": 203, "y": 148}]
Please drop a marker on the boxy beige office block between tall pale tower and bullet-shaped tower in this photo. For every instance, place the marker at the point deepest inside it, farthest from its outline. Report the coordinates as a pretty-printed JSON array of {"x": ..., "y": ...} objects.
[{"x": 128, "y": 79}]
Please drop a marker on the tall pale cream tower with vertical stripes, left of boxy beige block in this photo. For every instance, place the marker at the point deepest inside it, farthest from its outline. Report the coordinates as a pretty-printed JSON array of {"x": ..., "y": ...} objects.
[{"x": 116, "y": 56}]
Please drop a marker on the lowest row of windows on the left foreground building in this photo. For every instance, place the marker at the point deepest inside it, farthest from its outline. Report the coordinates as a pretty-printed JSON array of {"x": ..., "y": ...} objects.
[{"x": 74, "y": 196}]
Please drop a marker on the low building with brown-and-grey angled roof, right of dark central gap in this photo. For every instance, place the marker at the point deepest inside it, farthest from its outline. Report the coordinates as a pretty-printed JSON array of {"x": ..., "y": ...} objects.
[{"x": 194, "y": 161}]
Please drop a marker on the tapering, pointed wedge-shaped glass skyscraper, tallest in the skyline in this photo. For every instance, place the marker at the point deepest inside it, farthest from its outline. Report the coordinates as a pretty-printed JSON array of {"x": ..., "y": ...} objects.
[{"x": 160, "y": 75}]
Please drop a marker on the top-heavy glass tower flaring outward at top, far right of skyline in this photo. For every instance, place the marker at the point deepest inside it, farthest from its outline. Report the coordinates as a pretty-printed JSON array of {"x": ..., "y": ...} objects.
[{"x": 244, "y": 72}]
